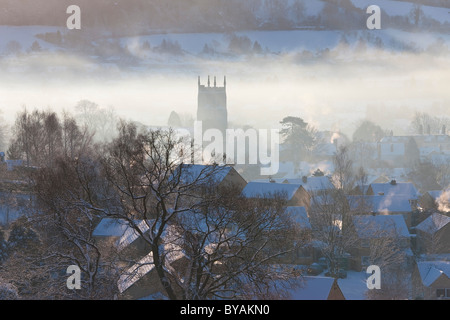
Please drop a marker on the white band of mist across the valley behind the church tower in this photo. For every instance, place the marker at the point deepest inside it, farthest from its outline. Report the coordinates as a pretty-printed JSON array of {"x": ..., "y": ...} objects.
[{"x": 331, "y": 94}]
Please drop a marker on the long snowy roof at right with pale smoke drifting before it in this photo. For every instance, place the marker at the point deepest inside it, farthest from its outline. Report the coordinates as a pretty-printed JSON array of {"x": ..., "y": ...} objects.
[{"x": 380, "y": 204}]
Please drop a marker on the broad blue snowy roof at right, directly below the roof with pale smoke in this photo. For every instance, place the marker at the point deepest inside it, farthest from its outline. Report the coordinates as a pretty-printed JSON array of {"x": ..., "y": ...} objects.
[{"x": 379, "y": 226}]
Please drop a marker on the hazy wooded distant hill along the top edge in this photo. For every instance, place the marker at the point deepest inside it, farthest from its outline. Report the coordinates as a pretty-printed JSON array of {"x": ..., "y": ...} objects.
[{"x": 123, "y": 17}]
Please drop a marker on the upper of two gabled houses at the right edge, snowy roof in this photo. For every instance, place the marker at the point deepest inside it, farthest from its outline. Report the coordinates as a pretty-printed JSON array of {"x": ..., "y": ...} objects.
[{"x": 433, "y": 234}]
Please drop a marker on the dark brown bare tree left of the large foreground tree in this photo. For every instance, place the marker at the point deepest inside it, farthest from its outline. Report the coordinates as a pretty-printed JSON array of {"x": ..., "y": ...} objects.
[{"x": 66, "y": 224}]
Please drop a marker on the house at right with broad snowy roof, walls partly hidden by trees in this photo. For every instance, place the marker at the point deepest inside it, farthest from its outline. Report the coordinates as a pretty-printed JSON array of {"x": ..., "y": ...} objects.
[{"x": 378, "y": 230}]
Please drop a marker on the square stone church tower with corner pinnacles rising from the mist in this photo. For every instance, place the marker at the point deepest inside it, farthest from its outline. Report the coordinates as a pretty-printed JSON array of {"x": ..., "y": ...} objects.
[{"x": 212, "y": 105}]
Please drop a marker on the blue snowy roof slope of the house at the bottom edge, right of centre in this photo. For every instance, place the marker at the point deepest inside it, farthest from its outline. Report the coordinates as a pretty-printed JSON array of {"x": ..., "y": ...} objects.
[{"x": 313, "y": 288}]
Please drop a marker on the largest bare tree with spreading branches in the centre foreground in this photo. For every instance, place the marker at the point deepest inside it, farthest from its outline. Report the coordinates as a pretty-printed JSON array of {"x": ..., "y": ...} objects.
[{"x": 227, "y": 241}]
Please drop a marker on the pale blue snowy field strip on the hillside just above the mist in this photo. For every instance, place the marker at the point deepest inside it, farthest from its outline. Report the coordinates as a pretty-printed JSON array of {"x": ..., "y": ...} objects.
[{"x": 289, "y": 41}]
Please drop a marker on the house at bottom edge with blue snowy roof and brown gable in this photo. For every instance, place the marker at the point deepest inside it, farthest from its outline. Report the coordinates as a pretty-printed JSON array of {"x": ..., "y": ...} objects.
[{"x": 317, "y": 288}]
